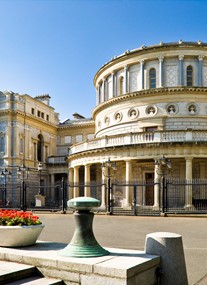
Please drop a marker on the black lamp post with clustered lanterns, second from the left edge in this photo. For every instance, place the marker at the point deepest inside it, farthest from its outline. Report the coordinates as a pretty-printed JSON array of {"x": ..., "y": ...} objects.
[{"x": 23, "y": 173}]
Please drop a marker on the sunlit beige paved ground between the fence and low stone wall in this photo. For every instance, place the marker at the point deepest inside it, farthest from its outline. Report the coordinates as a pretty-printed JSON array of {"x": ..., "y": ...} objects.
[{"x": 130, "y": 233}]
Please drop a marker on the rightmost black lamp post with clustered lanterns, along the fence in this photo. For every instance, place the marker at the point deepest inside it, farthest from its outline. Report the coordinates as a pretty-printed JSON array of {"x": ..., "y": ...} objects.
[{"x": 164, "y": 164}]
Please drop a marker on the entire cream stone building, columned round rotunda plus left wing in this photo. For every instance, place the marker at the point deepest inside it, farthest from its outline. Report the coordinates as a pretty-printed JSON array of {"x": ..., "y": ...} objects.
[{"x": 151, "y": 102}]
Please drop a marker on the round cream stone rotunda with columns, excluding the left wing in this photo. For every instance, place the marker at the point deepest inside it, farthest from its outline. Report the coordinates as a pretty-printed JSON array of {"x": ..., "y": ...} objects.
[{"x": 151, "y": 103}]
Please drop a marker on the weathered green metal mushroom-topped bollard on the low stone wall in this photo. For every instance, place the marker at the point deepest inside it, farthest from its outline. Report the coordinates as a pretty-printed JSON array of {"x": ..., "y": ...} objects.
[{"x": 83, "y": 243}]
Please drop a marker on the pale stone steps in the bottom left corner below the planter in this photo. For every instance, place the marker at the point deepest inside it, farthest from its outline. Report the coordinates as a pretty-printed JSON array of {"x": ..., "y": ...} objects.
[{"x": 13, "y": 273}]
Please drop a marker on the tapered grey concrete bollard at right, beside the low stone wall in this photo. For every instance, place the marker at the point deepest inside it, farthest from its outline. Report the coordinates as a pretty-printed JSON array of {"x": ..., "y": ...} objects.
[{"x": 169, "y": 247}]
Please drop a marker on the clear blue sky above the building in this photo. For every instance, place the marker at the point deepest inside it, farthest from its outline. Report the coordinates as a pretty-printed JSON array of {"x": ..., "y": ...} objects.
[{"x": 55, "y": 47}]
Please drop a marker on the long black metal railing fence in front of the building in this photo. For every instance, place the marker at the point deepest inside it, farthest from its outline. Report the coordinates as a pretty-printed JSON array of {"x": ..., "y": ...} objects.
[{"x": 133, "y": 198}]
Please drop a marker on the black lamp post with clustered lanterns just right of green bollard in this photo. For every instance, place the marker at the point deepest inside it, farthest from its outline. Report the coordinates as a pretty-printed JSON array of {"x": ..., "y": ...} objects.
[{"x": 108, "y": 169}]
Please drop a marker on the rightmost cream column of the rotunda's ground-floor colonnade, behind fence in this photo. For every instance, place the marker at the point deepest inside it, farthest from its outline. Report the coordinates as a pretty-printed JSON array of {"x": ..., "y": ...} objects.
[{"x": 189, "y": 176}]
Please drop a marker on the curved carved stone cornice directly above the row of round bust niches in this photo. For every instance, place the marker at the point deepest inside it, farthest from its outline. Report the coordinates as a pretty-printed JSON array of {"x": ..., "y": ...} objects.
[{"x": 146, "y": 92}]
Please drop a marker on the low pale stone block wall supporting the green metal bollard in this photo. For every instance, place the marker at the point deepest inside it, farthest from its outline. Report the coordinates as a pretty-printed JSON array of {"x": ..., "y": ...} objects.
[{"x": 120, "y": 267}]
